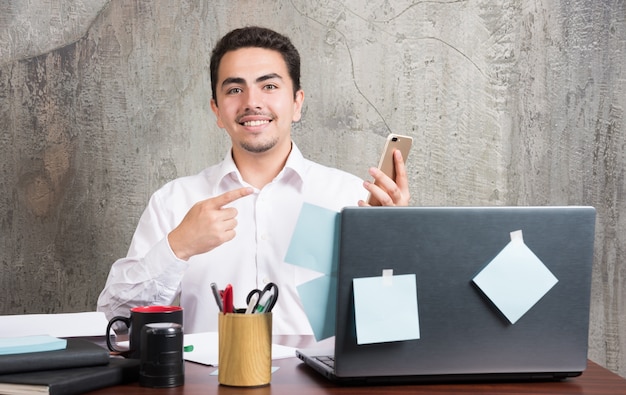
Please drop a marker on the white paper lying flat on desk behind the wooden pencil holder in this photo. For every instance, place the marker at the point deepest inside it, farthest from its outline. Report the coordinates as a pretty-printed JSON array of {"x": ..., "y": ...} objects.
[{"x": 206, "y": 345}]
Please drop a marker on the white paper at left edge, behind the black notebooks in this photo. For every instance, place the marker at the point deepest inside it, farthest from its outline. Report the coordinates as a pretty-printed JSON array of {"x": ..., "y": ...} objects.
[{"x": 88, "y": 324}]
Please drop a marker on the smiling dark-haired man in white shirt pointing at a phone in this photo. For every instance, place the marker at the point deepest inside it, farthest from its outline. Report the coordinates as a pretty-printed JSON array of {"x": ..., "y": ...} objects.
[{"x": 232, "y": 223}]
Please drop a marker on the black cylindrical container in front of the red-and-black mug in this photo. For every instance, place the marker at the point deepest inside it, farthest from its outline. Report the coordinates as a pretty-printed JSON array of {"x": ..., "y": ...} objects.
[{"x": 162, "y": 355}]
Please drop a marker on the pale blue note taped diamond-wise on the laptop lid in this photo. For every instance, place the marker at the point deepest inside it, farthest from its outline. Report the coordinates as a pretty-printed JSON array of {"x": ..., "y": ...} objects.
[{"x": 516, "y": 279}]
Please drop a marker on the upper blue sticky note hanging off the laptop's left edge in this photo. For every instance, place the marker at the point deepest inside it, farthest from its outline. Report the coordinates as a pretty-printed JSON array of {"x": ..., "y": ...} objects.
[{"x": 313, "y": 243}]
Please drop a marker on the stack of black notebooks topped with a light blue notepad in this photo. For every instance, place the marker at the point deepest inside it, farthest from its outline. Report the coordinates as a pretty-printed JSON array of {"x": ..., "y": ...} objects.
[{"x": 48, "y": 365}]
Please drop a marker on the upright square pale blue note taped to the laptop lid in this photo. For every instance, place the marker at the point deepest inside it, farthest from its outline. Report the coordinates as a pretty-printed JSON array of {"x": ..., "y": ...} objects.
[{"x": 385, "y": 309}]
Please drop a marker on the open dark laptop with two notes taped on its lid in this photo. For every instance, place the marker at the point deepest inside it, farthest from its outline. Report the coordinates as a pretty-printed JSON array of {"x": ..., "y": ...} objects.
[{"x": 465, "y": 330}]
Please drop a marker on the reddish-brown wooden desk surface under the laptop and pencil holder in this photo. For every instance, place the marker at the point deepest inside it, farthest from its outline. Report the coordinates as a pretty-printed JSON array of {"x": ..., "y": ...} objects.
[{"x": 293, "y": 377}]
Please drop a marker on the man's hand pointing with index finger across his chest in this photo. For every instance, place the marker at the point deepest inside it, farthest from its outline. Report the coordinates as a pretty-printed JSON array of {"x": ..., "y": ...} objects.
[{"x": 208, "y": 224}]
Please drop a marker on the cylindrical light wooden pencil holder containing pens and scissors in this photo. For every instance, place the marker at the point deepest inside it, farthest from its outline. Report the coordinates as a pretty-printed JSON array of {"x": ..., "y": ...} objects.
[{"x": 245, "y": 349}]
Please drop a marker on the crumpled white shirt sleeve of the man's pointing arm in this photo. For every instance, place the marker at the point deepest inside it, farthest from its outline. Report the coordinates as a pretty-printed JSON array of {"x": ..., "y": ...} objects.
[{"x": 151, "y": 273}]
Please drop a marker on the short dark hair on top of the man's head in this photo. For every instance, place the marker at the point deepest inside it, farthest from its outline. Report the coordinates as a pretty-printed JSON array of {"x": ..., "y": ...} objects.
[{"x": 256, "y": 37}]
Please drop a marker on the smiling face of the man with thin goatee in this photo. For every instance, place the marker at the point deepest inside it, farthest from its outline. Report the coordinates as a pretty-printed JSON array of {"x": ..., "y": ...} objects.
[{"x": 255, "y": 100}]
